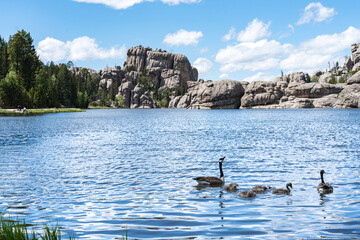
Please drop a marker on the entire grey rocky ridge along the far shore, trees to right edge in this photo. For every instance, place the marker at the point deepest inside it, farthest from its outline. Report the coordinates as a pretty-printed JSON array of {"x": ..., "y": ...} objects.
[{"x": 157, "y": 78}]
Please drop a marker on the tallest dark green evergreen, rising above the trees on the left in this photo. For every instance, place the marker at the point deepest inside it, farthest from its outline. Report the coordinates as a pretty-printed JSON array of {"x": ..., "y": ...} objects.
[{"x": 23, "y": 59}]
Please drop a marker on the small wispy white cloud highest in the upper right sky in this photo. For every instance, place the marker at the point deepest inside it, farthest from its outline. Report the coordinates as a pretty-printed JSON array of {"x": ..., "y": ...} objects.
[{"x": 316, "y": 12}]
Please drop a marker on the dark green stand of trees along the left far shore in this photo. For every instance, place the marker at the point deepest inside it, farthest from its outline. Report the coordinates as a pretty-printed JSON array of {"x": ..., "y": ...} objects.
[{"x": 26, "y": 81}]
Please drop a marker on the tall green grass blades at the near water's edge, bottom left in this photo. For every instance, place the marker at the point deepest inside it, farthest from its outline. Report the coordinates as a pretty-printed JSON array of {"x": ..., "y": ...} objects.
[{"x": 17, "y": 230}]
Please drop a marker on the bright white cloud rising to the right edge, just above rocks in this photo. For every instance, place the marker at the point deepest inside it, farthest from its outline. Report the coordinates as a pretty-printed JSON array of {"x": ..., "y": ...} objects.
[{"x": 317, "y": 52}]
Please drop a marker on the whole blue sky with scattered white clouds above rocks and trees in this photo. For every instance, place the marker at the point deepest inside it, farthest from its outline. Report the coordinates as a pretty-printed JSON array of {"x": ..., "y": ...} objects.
[{"x": 228, "y": 39}]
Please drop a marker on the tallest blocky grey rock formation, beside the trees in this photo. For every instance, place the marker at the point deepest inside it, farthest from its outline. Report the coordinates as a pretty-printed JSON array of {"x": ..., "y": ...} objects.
[{"x": 148, "y": 76}]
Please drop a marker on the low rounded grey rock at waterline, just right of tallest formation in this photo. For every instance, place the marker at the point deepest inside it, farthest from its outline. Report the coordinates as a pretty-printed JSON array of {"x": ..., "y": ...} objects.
[{"x": 225, "y": 94}]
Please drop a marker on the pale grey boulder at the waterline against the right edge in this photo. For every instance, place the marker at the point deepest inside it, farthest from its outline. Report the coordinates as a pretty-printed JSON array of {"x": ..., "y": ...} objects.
[{"x": 349, "y": 97}]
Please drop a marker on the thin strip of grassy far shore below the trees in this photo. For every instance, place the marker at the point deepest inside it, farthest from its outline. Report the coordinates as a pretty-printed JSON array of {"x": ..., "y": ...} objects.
[{"x": 32, "y": 112}]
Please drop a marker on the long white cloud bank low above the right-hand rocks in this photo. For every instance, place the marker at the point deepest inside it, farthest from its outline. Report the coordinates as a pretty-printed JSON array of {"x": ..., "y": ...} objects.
[{"x": 308, "y": 56}]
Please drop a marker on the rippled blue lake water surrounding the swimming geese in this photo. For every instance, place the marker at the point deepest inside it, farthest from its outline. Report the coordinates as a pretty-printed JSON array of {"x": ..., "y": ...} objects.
[{"x": 104, "y": 172}]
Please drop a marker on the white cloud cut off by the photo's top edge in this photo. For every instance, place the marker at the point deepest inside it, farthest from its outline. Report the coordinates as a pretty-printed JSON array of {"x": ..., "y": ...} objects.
[{"x": 124, "y": 4}]
